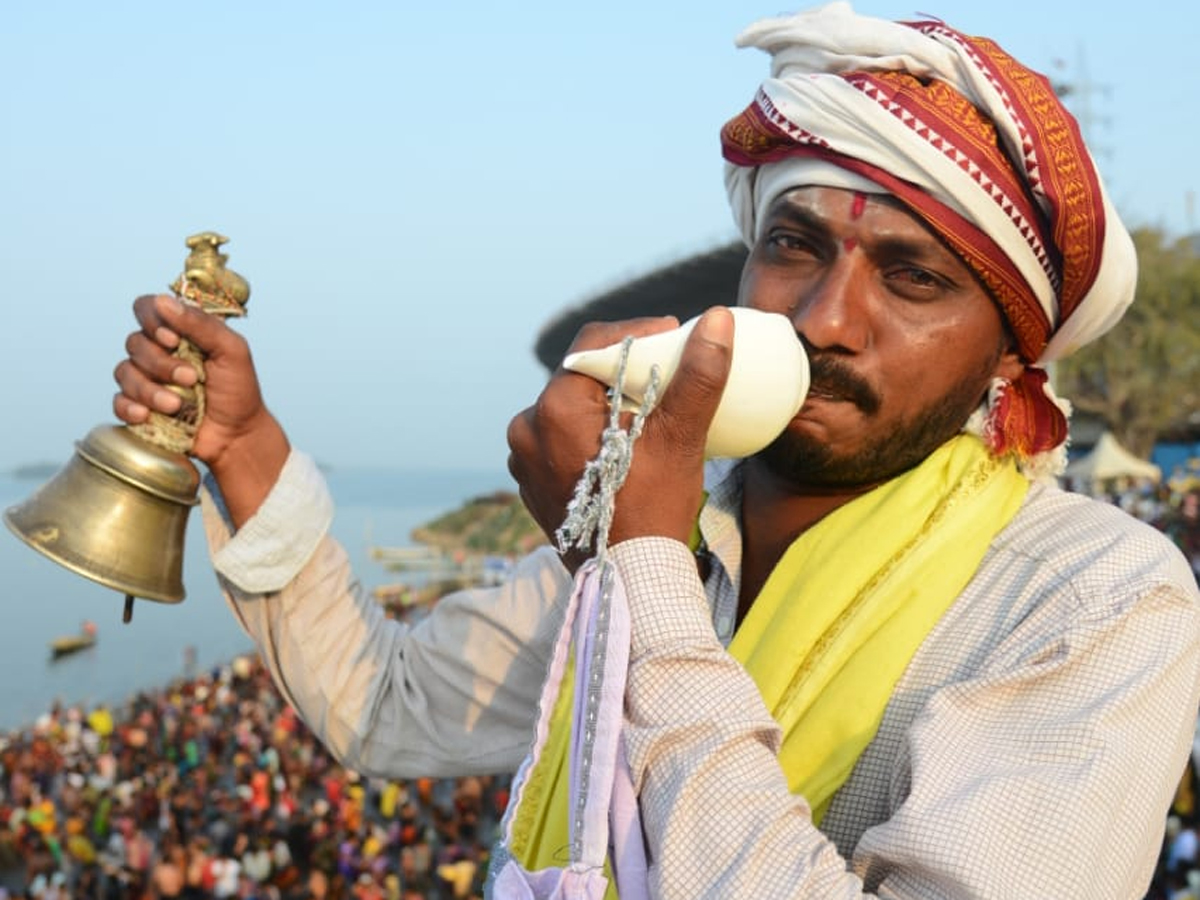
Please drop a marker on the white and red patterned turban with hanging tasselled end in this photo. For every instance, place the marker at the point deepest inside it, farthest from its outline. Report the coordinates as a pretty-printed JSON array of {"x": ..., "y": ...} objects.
[{"x": 971, "y": 141}]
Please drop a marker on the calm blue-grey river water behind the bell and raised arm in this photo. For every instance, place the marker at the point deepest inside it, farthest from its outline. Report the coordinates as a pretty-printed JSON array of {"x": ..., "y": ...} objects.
[{"x": 43, "y": 601}]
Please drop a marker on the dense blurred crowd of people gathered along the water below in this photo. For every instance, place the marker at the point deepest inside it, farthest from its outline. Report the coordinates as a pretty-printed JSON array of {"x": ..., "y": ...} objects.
[{"x": 214, "y": 788}]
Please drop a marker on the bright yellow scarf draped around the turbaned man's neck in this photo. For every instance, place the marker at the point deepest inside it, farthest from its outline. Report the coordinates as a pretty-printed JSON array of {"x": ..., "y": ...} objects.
[{"x": 835, "y": 627}]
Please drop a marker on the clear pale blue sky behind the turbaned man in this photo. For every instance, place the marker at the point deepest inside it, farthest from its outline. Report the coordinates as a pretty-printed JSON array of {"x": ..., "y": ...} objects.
[{"x": 413, "y": 190}]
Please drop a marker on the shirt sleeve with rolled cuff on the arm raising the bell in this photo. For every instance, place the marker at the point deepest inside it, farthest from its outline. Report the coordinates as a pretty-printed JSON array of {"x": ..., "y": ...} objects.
[{"x": 454, "y": 694}]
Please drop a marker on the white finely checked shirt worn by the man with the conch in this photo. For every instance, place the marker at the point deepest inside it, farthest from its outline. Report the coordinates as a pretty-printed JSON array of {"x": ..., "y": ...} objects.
[{"x": 1030, "y": 751}]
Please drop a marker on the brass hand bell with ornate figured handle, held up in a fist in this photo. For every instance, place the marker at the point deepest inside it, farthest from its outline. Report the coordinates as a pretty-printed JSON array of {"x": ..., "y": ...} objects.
[{"x": 117, "y": 513}]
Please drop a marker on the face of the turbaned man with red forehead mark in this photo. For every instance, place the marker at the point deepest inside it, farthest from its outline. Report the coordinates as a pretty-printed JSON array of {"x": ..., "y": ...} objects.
[{"x": 903, "y": 339}]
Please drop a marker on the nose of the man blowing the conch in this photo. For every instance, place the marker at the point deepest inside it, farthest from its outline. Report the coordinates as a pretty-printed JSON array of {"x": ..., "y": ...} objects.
[{"x": 832, "y": 313}]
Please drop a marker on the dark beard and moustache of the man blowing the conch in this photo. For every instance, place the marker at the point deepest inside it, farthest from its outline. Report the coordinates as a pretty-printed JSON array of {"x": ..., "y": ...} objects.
[{"x": 803, "y": 459}]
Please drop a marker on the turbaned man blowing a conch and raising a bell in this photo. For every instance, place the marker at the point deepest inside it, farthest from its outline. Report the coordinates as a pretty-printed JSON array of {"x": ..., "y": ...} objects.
[{"x": 913, "y": 669}]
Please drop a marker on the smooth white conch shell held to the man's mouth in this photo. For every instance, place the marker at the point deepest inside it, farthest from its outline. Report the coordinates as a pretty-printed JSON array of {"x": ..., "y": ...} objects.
[{"x": 767, "y": 385}]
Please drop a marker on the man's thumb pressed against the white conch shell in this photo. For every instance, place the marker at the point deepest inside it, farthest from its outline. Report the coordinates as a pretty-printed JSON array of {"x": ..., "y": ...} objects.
[{"x": 695, "y": 391}]
